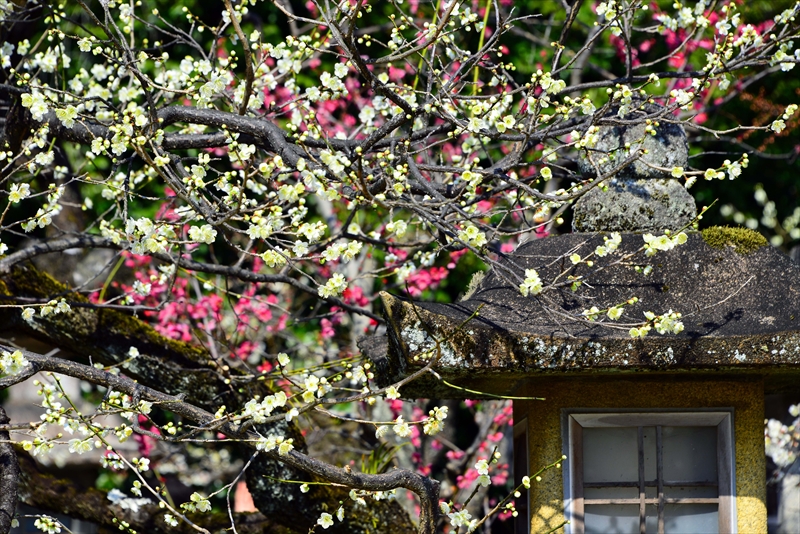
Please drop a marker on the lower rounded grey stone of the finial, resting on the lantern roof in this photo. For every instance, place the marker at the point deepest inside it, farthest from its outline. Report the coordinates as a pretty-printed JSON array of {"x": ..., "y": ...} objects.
[{"x": 628, "y": 205}]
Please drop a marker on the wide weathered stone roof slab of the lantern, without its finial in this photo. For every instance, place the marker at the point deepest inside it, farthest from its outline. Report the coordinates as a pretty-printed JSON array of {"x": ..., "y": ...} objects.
[{"x": 741, "y": 315}]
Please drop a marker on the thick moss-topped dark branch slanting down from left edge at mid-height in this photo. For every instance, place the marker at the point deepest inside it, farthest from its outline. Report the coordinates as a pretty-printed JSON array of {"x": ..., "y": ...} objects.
[{"x": 106, "y": 335}]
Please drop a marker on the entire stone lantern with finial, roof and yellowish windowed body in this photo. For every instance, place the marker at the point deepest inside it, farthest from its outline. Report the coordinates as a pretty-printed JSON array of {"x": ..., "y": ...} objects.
[{"x": 663, "y": 432}]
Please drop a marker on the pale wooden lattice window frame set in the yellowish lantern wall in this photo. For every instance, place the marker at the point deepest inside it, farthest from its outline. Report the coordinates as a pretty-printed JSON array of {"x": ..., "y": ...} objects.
[{"x": 576, "y": 420}]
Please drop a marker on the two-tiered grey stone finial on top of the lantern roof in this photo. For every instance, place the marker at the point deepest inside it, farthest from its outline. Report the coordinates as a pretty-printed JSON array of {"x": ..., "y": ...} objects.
[{"x": 639, "y": 198}]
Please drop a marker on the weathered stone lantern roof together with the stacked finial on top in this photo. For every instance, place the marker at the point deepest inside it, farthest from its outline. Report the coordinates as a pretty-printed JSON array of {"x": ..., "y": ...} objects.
[{"x": 739, "y": 300}]
